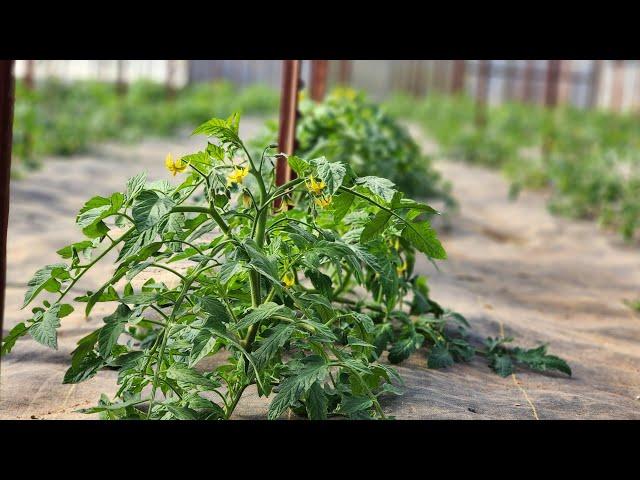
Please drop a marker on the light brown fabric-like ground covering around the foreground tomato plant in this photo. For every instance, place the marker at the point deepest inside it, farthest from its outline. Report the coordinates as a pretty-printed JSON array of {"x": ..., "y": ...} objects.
[{"x": 511, "y": 267}]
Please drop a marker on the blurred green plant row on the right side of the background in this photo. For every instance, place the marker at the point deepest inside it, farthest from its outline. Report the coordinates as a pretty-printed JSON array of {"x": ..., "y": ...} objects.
[{"x": 588, "y": 159}]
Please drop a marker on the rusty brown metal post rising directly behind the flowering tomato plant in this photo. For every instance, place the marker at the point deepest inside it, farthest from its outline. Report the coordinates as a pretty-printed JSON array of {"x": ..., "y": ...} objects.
[{"x": 288, "y": 117}]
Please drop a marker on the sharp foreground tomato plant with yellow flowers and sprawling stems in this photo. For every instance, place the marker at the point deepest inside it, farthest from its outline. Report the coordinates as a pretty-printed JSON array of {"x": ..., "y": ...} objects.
[{"x": 303, "y": 300}]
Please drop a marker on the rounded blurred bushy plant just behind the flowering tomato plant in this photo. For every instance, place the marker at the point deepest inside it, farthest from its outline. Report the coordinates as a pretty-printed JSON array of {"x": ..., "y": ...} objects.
[{"x": 348, "y": 127}]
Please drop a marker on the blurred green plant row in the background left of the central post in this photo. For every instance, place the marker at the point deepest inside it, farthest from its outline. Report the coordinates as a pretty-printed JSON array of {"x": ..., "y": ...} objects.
[{"x": 58, "y": 118}]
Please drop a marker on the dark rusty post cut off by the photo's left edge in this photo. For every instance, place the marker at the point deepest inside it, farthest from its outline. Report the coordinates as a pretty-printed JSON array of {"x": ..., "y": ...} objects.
[{"x": 6, "y": 131}]
